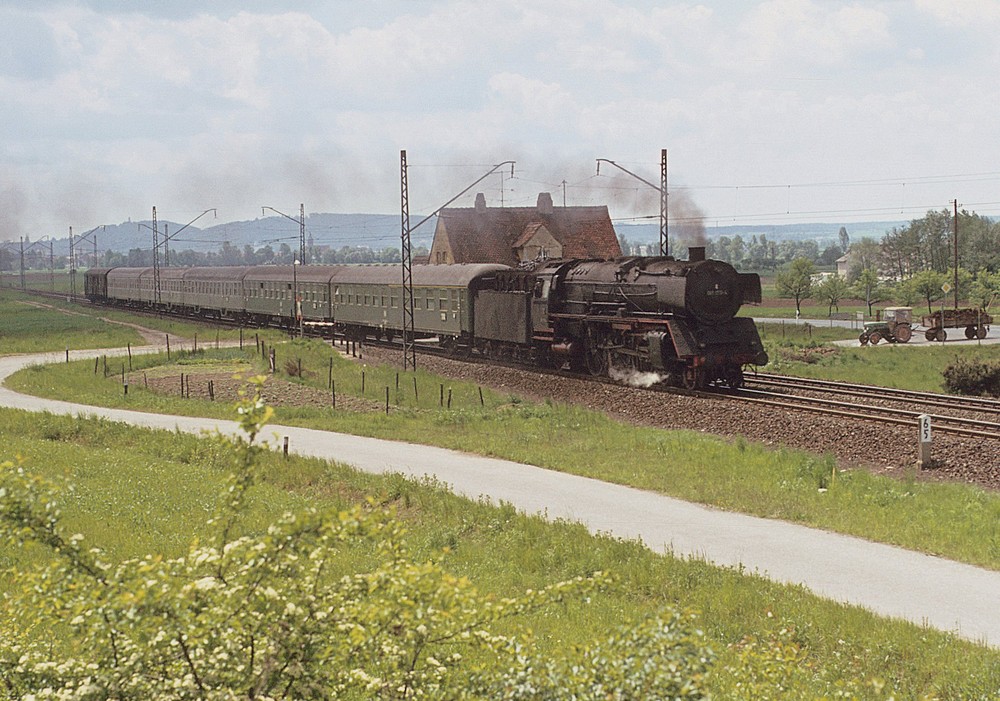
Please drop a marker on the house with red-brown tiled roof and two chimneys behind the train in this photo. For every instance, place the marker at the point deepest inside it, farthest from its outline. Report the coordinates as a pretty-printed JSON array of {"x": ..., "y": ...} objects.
[{"x": 510, "y": 235}]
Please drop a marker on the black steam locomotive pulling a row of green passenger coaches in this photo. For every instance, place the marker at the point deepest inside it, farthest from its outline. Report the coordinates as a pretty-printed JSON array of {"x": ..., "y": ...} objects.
[{"x": 609, "y": 317}]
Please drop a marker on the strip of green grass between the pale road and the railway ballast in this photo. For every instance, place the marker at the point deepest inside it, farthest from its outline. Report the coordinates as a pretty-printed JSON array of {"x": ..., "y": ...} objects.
[{"x": 736, "y": 475}]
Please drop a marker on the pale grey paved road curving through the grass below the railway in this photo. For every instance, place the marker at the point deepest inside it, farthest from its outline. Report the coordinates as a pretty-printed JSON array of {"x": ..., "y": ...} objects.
[{"x": 889, "y": 581}]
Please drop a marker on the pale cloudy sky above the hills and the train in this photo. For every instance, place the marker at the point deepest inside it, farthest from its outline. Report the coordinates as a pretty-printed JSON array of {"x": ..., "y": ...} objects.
[{"x": 772, "y": 112}]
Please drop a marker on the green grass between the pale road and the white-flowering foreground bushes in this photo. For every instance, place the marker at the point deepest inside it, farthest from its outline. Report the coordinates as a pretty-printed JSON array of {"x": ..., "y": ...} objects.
[{"x": 138, "y": 491}]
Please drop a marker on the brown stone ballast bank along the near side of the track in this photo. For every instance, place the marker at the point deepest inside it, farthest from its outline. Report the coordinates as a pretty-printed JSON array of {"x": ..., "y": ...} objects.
[{"x": 855, "y": 441}]
